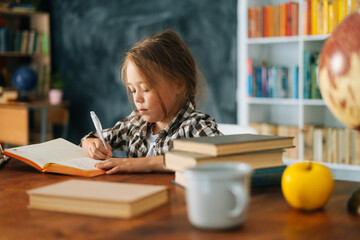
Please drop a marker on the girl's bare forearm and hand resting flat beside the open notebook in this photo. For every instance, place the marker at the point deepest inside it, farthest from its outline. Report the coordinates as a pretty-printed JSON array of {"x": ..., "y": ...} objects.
[{"x": 142, "y": 164}]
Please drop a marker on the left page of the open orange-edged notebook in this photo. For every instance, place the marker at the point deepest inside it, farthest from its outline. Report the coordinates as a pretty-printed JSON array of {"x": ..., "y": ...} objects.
[{"x": 57, "y": 150}]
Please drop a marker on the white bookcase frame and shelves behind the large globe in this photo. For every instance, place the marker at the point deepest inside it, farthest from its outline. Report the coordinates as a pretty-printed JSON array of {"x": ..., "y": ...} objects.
[{"x": 285, "y": 51}]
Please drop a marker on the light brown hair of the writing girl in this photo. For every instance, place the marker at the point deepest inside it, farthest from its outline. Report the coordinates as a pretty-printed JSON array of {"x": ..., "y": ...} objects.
[{"x": 165, "y": 56}]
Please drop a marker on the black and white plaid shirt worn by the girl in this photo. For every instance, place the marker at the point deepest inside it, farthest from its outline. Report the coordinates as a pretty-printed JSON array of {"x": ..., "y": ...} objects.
[{"x": 130, "y": 134}]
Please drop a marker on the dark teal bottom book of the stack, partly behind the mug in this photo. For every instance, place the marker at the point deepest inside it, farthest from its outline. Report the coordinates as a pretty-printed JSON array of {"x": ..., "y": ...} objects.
[{"x": 262, "y": 177}]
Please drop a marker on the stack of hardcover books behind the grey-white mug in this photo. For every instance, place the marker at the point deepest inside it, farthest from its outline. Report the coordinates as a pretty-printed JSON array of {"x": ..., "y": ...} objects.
[{"x": 263, "y": 152}]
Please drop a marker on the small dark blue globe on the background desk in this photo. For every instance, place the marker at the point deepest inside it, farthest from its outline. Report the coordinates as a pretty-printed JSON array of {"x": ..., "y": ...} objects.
[{"x": 24, "y": 79}]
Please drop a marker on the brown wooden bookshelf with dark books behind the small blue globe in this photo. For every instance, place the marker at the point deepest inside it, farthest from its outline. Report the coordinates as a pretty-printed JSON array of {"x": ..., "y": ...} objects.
[{"x": 25, "y": 42}]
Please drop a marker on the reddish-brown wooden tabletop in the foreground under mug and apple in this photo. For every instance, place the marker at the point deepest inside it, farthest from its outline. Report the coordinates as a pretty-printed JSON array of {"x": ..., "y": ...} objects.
[{"x": 269, "y": 216}]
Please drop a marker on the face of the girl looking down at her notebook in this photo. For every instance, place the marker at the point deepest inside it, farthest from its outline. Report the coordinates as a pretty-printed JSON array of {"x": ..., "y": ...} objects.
[{"x": 146, "y": 100}]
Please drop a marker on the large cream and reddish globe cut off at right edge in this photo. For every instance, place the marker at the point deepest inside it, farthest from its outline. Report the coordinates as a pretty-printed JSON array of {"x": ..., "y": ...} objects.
[{"x": 339, "y": 71}]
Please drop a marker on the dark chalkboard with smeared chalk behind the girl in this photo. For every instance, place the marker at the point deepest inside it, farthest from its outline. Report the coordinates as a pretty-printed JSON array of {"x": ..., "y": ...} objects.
[{"x": 90, "y": 38}]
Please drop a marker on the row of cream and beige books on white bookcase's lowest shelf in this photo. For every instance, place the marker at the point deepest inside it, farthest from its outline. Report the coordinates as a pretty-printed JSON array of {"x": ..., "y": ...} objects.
[{"x": 333, "y": 145}]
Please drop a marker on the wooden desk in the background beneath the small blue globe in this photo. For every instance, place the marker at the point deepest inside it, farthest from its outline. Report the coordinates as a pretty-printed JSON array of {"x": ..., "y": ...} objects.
[{"x": 14, "y": 121}]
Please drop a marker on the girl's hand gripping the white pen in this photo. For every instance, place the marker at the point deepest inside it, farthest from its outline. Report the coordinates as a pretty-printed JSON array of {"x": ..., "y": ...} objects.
[{"x": 96, "y": 149}]
